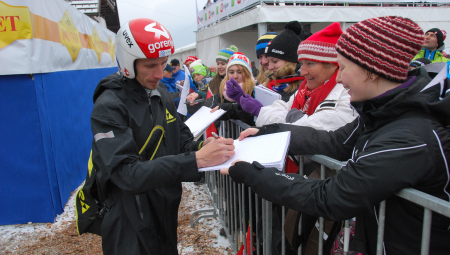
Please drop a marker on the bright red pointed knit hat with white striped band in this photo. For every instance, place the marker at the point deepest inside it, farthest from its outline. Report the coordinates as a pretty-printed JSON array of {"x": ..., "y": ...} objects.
[{"x": 321, "y": 46}]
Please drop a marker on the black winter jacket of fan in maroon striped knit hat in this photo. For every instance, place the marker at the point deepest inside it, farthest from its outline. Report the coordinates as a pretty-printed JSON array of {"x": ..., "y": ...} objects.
[{"x": 399, "y": 141}]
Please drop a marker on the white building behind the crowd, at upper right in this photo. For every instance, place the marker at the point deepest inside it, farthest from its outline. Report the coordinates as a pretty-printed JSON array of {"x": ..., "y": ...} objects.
[{"x": 241, "y": 22}]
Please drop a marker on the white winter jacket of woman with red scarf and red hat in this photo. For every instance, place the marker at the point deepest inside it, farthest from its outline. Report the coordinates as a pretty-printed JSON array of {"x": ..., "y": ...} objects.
[{"x": 333, "y": 113}]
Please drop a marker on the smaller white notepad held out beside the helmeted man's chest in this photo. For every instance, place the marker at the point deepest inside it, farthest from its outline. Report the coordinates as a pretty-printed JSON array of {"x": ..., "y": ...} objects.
[{"x": 201, "y": 119}]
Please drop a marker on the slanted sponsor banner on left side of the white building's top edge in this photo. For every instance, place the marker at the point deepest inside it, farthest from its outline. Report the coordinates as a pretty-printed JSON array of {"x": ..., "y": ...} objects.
[{"x": 221, "y": 9}]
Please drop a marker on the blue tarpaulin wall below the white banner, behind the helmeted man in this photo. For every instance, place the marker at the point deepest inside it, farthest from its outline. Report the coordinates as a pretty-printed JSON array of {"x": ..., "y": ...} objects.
[{"x": 45, "y": 141}]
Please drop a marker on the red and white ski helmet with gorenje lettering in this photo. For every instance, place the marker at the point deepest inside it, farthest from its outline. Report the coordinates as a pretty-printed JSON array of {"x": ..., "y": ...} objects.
[{"x": 141, "y": 38}]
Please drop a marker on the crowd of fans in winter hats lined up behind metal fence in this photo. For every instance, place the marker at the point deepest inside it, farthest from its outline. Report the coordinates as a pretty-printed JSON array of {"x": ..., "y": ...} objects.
[{"x": 313, "y": 73}]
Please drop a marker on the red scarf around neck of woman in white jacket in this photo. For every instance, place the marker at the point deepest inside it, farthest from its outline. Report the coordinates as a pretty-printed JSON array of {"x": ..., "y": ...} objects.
[{"x": 308, "y": 100}]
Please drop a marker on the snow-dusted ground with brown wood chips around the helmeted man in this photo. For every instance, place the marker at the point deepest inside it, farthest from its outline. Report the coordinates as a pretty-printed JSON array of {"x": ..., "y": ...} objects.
[{"x": 61, "y": 237}]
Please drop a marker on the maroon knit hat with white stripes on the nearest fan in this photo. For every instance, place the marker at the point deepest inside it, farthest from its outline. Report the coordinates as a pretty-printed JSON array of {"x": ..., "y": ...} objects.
[{"x": 383, "y": 45}]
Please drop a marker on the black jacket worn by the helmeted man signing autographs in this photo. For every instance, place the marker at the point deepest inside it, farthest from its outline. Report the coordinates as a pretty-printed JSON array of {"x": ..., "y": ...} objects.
[{"x": 144, "y": 217}]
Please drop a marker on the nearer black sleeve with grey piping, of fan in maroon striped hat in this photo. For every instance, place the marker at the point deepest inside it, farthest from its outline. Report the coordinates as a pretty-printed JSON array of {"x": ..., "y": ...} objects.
[{"x": 376, "y": 174}]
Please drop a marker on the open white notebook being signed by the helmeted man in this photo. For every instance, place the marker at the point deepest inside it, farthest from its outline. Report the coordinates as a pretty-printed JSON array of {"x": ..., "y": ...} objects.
[{"x": 269, "y": 150}]
